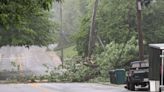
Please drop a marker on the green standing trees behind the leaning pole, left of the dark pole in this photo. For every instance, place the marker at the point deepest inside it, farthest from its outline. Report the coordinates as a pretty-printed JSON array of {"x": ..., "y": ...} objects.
[{"x": 112, "y": 24}]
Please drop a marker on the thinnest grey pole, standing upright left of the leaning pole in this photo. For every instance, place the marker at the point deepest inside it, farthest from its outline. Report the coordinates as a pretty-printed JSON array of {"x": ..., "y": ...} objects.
[{"x": 61, "y": 32}]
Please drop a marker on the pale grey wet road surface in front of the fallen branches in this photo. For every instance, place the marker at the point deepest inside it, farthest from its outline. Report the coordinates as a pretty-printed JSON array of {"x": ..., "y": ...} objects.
[{"x": 61, "y": 87}]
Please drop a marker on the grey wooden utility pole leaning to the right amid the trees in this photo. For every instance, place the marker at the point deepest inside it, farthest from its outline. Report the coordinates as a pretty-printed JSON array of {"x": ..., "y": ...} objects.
[{"x": 92, "y": 33}]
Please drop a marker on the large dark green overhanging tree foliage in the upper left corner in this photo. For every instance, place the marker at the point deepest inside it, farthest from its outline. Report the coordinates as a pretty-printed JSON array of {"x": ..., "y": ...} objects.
[{"x": 26, "y": 22}]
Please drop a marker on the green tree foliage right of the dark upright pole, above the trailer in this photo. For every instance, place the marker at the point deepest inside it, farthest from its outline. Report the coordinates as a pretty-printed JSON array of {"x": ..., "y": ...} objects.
[{"x": 153, "y": 22}]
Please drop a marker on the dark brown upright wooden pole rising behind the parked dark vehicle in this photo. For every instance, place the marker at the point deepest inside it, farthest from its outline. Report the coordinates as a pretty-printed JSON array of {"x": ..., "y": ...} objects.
[{"x": 140, "y": 33}]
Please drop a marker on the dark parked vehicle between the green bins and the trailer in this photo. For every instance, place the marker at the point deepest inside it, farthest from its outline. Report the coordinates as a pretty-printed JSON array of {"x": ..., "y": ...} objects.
[{"x": 137, "y": 75}]
